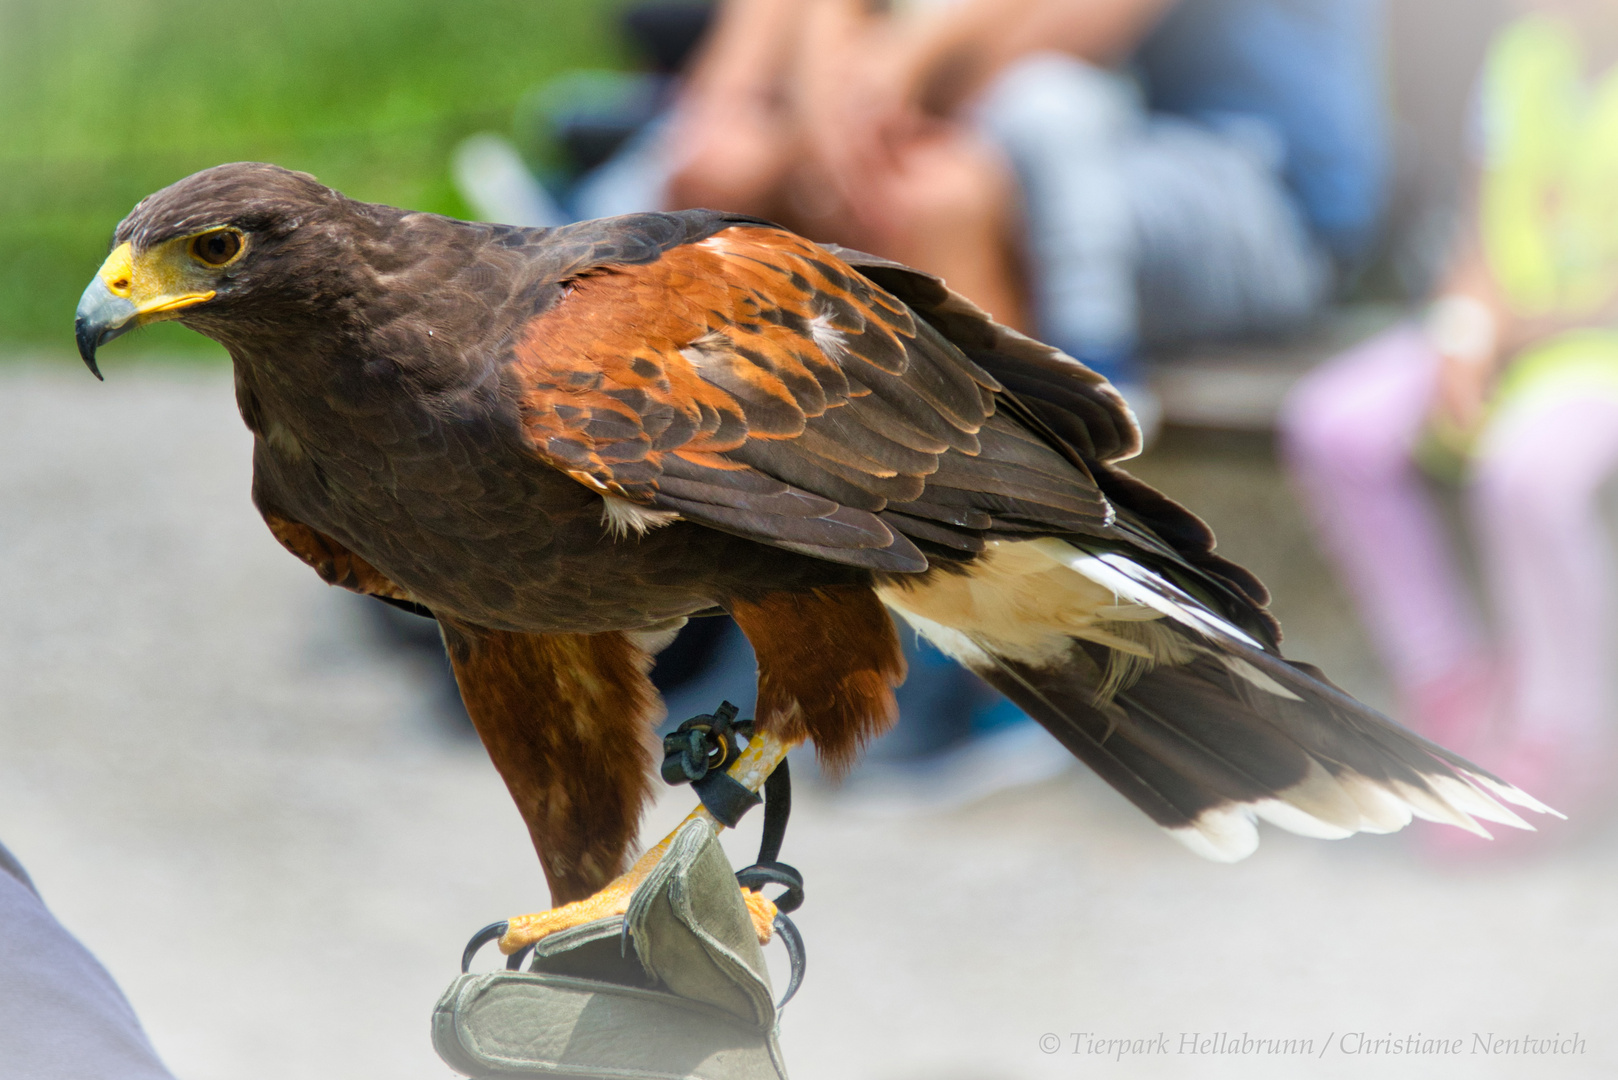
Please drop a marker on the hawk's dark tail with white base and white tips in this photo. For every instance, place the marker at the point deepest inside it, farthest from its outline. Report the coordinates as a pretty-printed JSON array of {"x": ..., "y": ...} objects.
[{"x": 1195, "y": 721}]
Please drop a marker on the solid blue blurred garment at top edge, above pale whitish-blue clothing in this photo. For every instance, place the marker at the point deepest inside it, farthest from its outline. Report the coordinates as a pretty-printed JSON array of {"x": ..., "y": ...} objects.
[{"x": 1311, "y": 70}]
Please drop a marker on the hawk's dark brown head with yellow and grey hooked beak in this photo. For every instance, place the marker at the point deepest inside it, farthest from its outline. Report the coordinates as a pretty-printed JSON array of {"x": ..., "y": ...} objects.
[{"x": 210, "y": 249}]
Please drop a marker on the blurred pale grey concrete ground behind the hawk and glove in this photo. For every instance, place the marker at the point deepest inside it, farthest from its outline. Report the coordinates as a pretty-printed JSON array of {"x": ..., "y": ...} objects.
[{"x": 248, "y": 809}]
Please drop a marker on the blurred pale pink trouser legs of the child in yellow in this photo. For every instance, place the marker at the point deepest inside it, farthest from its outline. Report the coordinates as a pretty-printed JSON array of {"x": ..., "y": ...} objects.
[{"x": 1533, "y": 496}]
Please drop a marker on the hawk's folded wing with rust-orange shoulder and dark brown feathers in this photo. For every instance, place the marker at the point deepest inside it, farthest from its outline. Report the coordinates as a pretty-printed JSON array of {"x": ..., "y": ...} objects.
[{"x": 760, "y": 385}]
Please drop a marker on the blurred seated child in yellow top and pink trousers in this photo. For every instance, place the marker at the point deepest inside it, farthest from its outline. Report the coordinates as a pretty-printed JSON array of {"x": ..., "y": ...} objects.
[{"x": 1512, "y": 388}]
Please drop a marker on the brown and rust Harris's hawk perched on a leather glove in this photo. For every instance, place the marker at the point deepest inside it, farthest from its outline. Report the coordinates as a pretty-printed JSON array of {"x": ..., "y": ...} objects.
[{"x": 564, "y": 443}]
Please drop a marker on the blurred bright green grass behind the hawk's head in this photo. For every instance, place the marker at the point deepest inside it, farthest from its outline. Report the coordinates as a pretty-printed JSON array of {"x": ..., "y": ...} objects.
[{"x": 106, "y": 101}]
